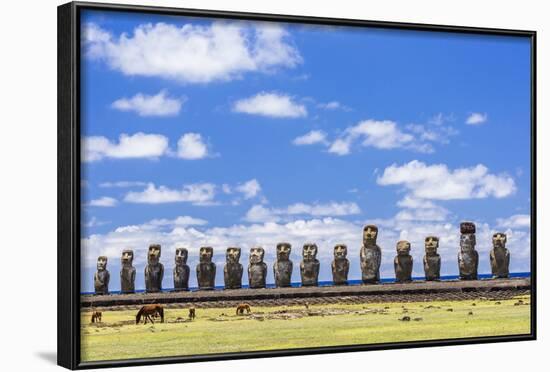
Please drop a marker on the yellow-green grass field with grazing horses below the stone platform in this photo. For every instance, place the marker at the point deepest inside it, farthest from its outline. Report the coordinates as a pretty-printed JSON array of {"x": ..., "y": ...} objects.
[{"x": 118, "y": 337}]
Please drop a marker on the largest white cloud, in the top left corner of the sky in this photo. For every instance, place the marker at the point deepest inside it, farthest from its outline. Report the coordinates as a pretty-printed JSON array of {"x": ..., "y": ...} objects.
[{"x": 220, "y": 51}]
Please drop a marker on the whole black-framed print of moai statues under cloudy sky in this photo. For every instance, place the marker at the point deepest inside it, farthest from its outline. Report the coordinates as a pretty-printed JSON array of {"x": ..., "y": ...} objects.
[{"x": 236, "y": 185}]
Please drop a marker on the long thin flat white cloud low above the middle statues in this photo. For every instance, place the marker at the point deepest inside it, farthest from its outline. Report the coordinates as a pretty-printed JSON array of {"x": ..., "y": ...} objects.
[{"x": 259, "y": 213}]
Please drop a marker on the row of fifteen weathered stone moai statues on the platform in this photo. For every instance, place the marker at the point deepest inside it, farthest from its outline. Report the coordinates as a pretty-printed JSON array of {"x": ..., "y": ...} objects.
[{"x": 370, "y": 258}]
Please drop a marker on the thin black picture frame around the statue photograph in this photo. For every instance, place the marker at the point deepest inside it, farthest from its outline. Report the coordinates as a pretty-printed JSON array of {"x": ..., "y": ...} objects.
[{"x": 69, "y": 208}]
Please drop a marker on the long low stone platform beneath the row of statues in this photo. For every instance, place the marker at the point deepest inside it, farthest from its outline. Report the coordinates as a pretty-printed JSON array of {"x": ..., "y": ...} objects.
[{"x": 418, "y": 289}]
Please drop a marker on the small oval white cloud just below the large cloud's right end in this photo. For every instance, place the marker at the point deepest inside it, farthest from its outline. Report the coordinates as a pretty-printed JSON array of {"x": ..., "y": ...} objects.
[{"x": 272, "y": 105}]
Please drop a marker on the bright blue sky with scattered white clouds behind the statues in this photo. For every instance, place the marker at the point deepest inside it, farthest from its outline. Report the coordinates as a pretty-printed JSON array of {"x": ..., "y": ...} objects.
[{"x": 201, "y": 132}]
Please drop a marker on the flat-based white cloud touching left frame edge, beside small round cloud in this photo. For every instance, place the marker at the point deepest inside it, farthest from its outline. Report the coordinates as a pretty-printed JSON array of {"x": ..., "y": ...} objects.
[{"x": 139, "y": 145}]
